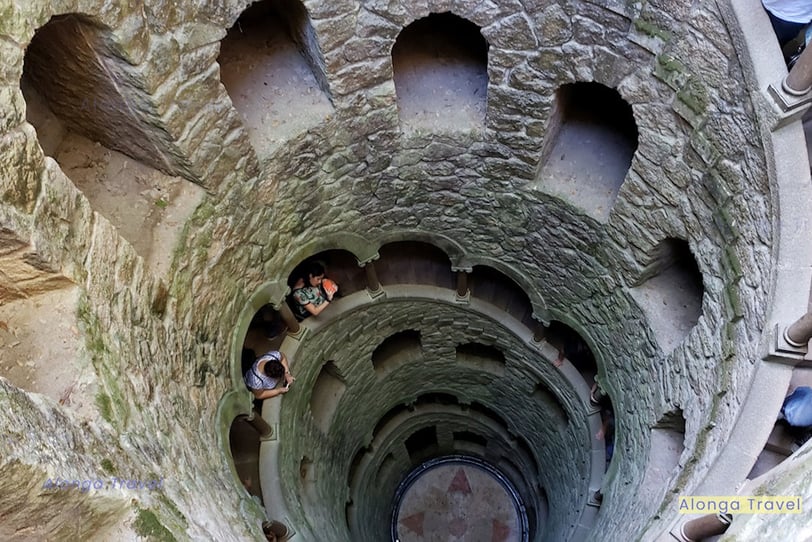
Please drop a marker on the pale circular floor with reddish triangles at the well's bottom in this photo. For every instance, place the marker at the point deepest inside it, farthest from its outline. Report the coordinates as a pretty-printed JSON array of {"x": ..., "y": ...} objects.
[{"x": 457, "y": 501}]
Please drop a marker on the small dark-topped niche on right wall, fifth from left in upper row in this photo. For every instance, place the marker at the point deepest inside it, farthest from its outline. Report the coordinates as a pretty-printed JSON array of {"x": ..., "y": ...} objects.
[{"x": 671, "y": 292}]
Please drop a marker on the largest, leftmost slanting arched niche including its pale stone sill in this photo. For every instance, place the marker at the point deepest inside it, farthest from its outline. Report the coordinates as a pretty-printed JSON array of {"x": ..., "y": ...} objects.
[{"x": 81, "y": 100}]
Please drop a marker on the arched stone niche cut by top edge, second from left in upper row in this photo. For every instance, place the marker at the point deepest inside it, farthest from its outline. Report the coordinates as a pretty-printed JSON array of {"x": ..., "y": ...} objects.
[{"x": 273, "y": 70}]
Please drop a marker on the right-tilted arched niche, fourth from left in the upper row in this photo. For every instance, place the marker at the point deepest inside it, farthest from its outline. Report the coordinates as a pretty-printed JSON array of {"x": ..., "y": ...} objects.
[{"x": 588, "y": 148}]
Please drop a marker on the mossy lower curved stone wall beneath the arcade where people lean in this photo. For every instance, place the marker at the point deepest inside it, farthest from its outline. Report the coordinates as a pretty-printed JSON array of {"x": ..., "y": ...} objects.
[{"x": 349, "y": 341}]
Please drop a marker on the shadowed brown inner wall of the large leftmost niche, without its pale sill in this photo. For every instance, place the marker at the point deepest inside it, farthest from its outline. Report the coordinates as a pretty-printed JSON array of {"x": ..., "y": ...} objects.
[{"x": 73, "y": 82}]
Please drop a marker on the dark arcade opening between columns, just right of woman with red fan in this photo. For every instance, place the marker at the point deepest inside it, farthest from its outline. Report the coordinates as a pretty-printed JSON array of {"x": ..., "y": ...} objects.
[{"x": 414, "y": 262}]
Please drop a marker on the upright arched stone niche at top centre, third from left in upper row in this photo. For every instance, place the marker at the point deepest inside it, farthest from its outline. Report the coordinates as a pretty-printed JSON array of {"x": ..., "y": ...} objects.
[{"x": 440, "y": 68}]
